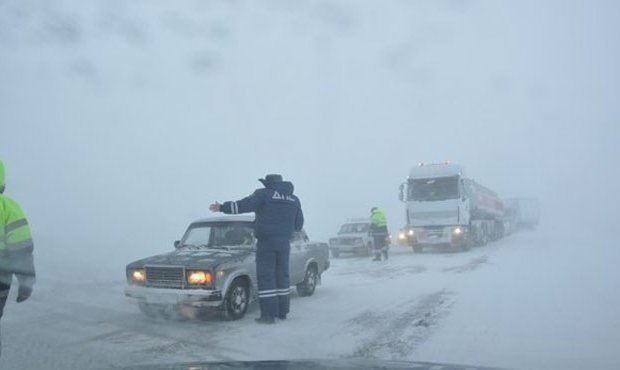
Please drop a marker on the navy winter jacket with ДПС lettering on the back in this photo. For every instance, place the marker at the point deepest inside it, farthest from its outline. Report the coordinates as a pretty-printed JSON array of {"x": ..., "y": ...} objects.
[{"x": 278, "y": 211}]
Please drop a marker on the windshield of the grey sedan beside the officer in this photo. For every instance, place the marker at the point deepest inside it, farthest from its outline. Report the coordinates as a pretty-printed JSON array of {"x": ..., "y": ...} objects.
[{"x": 219, "y": 234}]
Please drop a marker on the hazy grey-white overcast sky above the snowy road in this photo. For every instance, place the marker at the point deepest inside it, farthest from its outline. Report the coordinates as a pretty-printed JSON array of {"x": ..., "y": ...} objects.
[{"x": 121, "y": 121}]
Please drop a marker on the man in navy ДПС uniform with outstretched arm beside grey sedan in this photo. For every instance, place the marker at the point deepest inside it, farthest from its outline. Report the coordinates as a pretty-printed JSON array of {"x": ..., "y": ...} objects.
[{"x": 278, "y": 215}]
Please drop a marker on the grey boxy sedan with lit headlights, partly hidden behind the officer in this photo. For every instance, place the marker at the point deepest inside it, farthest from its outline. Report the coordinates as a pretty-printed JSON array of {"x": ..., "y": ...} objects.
[{"x": 213, "y": 266}]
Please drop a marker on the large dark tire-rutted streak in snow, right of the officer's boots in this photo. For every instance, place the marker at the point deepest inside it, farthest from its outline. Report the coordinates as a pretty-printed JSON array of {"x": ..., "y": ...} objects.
[{"x": 395, "y": 334}]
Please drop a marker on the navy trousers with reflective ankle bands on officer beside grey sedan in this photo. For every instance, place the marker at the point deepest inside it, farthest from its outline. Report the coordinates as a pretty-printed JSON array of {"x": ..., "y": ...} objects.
[{"x": 272, "y": 260}]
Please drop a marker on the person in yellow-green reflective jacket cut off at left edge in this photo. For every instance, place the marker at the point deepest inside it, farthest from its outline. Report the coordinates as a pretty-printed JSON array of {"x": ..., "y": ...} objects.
[{"x": 15, "y": 249}]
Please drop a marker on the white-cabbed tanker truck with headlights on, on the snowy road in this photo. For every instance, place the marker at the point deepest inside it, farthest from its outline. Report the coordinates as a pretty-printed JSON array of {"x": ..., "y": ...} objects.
[{"x": 446, "y": 209}]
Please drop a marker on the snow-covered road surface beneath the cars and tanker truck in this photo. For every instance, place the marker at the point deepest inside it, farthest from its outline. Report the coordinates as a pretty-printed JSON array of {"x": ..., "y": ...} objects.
[{"x": 522, "y": 303}]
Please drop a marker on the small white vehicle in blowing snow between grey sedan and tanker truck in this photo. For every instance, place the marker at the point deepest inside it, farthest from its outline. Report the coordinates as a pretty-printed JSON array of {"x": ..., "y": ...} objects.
[{"x": 354, "y": 237}]
